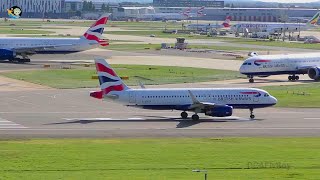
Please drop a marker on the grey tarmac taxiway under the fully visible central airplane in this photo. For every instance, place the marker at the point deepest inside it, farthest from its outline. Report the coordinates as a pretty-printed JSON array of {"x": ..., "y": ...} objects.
[{"x": 73, "y": 114}]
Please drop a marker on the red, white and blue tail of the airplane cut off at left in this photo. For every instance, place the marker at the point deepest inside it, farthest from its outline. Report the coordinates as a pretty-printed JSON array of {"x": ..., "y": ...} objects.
[{"x": 94, "y": 33}]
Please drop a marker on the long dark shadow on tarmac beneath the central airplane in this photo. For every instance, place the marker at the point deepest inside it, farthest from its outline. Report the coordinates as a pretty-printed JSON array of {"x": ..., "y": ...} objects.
[{"x": 183, "y": 123}]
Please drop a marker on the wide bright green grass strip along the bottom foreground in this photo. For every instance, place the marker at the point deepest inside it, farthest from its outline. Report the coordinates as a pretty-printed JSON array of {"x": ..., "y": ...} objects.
[{"x": 224, "y": 158}]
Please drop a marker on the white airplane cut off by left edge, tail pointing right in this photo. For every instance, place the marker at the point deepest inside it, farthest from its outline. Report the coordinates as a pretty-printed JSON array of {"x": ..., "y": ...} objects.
[{"x": 13, "y": 47}]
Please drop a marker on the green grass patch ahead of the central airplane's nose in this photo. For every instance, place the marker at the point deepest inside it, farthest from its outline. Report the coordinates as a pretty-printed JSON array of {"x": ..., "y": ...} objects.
[{"x": 292, "y": 96}]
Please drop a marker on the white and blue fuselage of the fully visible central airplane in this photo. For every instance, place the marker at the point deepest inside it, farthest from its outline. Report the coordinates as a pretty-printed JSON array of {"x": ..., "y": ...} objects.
[{"x": 179, "y": 99}]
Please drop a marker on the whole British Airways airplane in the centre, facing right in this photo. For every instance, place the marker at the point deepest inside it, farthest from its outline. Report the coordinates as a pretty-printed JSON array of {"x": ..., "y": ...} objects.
[{"x": 218, "y": 102}]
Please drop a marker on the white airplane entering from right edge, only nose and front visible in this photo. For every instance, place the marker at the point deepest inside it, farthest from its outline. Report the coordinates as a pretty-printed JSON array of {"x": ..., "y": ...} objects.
[{"x": 293, "y": 64}]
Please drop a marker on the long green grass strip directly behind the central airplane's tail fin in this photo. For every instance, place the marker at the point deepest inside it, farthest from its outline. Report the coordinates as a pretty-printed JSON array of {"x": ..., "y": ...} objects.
[{"x": 80, "y": 78}]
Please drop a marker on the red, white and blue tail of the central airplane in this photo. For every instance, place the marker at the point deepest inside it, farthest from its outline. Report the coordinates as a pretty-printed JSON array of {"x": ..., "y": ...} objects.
[{"x": 109, "y": 80}]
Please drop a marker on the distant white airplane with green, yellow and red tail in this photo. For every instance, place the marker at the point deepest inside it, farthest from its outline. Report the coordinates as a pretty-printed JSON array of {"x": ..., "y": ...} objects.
[{"x": 276, "y": 27}]
